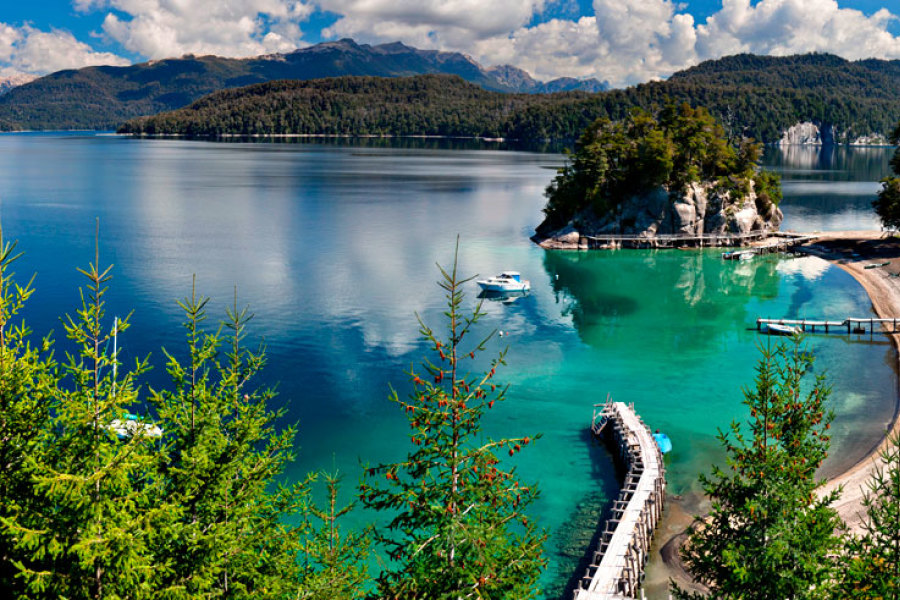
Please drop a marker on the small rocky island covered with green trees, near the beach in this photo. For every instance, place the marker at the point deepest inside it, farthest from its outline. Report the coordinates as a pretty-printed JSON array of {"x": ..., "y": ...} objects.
[{"x": 673, "y": 172}]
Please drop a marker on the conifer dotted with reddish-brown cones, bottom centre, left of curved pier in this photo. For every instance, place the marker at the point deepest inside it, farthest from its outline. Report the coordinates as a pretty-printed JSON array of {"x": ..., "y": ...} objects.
[{"x": 457, "y": 524}]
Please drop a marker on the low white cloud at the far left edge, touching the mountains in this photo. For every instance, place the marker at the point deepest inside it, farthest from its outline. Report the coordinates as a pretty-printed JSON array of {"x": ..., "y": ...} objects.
[{"x": 29, "y": 50}]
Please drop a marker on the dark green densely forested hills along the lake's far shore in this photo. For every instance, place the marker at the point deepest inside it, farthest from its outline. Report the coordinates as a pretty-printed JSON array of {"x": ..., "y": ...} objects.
[{"x": 752, "y": 96}]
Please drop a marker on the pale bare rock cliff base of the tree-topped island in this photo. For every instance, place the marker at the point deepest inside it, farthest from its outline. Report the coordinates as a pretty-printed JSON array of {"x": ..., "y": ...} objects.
[{"x": 704, "y": 209}]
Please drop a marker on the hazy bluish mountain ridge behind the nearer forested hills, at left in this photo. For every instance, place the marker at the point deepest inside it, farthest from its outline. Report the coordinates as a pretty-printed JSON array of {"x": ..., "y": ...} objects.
[{"x": 104, "y": 97}]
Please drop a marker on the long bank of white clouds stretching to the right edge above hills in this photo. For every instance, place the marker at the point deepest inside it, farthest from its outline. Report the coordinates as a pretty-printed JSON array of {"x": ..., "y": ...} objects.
[{"x": 624, "y": 41}]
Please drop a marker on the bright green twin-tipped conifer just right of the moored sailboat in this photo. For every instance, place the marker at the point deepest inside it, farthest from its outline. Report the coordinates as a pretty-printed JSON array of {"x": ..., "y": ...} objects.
[{"x": 227, "y": 535}]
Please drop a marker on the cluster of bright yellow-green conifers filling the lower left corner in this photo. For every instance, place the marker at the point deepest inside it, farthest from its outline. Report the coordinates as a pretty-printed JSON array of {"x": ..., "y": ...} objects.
[{"x": 93, "y": 508}]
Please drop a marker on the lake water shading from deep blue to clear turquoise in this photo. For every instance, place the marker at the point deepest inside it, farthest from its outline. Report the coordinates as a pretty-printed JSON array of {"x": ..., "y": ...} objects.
[{"x": 334, "y": 248}]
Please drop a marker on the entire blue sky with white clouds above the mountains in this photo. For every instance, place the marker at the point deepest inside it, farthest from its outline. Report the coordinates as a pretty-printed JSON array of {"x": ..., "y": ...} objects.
[{"x": 620, "y": 41}]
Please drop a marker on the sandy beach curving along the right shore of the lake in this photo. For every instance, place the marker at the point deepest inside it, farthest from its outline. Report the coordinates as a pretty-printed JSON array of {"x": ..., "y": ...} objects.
[{"x": 851, "y": 251}]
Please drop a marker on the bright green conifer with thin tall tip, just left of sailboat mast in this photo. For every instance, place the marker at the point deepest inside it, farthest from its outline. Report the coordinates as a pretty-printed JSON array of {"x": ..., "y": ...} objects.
[{"x": 86, "y": 532}]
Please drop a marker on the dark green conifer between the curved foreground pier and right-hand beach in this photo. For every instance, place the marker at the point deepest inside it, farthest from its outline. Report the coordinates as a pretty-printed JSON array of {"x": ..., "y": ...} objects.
[{"x": 768, "y": 534}]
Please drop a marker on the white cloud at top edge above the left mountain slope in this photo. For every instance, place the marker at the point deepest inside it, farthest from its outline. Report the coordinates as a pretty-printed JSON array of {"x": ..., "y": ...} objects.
[{"x": 164, "y": 28}]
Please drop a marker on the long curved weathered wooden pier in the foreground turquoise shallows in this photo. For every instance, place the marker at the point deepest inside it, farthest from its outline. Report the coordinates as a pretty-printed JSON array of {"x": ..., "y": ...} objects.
[{"x": 617, "y": 568}]
